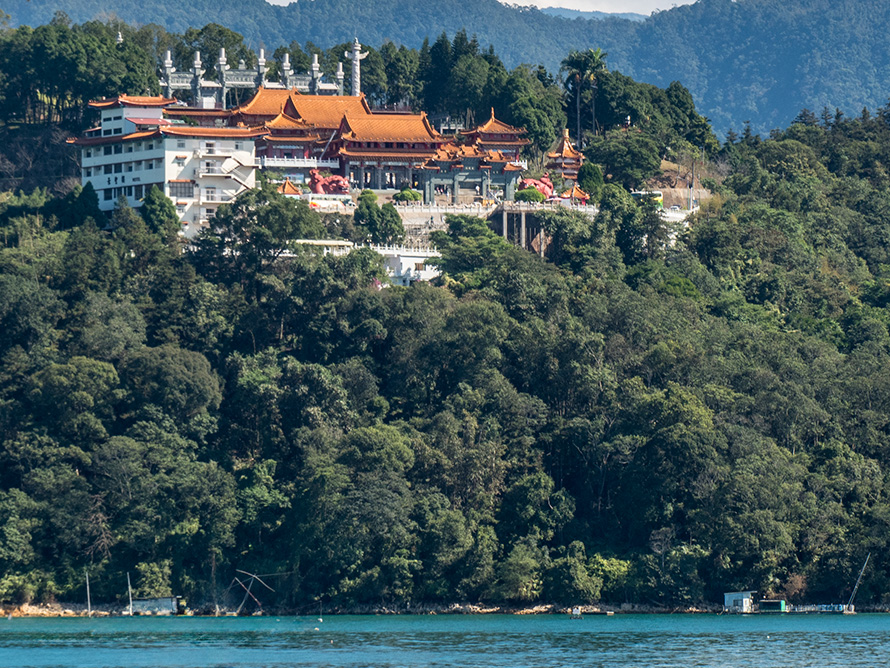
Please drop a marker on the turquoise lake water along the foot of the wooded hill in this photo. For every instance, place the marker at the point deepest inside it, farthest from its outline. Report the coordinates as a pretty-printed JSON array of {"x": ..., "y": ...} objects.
[{"x": 620, "y": 641}]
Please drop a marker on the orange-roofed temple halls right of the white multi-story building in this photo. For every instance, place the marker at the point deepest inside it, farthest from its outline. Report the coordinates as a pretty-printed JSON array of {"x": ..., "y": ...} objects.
[{"x": 373, "y": 150}]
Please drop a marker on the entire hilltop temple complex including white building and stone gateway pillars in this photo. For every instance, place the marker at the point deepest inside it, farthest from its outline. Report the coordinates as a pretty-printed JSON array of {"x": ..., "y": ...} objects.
[{"x": 205, "y": 154}]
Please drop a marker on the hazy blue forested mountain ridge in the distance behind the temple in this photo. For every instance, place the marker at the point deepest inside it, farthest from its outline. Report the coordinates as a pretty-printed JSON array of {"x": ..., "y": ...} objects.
[{"x": 745, "y": 60}]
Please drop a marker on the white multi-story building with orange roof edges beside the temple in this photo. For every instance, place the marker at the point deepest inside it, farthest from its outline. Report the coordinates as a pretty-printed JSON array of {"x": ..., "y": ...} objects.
[{"x": 135, "y": 147}]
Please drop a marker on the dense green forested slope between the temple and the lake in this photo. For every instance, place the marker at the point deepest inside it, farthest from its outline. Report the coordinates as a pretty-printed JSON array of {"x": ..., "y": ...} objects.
[{"x": 627, "y": 420}]
